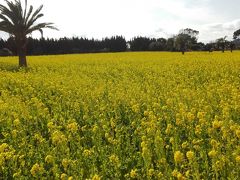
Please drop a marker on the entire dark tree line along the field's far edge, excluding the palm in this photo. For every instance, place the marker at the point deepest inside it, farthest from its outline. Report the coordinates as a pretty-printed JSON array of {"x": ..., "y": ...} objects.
[{"x": 185, "y": 40}]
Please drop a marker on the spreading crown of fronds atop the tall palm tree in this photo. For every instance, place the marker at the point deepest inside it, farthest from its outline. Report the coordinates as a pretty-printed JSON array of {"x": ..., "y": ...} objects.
[{"x": 21, "y": 21}]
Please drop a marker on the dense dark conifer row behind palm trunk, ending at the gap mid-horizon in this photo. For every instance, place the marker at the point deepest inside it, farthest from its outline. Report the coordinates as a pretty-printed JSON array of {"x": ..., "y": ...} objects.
[{"x": 46, "y": 46}]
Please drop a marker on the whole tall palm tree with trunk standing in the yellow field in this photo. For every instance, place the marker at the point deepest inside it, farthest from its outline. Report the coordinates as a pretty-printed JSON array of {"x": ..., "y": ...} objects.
[{"x": 19, "y": 22}]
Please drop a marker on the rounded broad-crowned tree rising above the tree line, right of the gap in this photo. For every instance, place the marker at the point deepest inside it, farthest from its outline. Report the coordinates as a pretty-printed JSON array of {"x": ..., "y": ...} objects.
[{"x": 185, "y": 39}]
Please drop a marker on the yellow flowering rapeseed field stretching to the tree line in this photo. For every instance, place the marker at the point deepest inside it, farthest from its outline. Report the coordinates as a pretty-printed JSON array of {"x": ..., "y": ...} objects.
[{"x": 121, "y": 116}]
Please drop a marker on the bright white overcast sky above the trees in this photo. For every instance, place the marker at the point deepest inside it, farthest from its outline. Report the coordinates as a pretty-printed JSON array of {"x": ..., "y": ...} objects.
[{"x": 152, "y": 18}]
